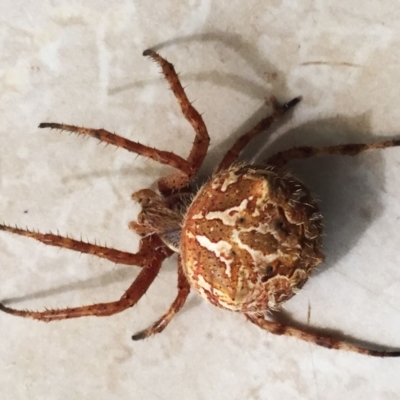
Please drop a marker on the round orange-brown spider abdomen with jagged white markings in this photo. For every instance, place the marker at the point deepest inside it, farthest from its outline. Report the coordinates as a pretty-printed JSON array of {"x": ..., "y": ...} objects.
[{"x": 251, "y": 238}]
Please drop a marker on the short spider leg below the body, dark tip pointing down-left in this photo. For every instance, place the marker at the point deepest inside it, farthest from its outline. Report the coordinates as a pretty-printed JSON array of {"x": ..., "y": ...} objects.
[{"x": 161, "y": 323}]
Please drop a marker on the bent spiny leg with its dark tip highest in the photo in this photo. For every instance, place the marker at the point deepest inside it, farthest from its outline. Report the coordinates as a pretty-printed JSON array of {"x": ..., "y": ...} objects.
[{"x": 201, "y": 141}]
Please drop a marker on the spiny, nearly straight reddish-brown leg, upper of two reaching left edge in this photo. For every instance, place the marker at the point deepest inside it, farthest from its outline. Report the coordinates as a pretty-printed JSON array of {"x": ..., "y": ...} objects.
[{"x": 141, "y": 258}]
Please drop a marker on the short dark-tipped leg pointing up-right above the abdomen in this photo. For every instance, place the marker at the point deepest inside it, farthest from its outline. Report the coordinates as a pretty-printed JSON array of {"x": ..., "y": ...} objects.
[{"x": 233, "y": 153}]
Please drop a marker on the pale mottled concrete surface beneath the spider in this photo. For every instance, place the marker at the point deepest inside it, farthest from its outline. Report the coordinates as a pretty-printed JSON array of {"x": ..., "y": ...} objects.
[{"x": 80, "y": 63}]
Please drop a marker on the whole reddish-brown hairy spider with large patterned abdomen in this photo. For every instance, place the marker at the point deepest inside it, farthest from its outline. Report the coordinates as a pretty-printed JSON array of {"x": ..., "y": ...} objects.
[{"x": 247, "y": 241}]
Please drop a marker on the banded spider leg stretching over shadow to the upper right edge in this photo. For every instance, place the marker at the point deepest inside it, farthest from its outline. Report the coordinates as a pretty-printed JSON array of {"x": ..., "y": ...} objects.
[{"x": 283, "y": 157}]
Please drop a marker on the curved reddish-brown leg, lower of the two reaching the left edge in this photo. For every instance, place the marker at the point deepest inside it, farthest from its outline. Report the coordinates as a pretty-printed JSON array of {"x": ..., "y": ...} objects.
[{"x": 129, "y": 298}]
